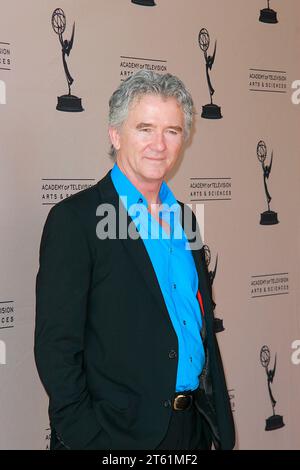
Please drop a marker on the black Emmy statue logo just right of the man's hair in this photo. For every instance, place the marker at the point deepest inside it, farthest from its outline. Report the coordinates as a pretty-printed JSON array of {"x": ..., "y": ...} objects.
[{"x": 211, "y": 110}]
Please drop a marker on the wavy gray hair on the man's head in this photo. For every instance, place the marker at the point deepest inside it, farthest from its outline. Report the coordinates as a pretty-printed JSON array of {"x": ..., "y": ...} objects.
[{"x": 145, "y": 82}]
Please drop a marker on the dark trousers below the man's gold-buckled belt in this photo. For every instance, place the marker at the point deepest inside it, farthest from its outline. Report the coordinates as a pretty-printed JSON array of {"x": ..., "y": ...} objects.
[{"x": 185, "y": 432}]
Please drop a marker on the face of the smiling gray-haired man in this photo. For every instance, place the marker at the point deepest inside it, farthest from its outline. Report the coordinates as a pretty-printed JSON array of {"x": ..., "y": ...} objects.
[{"x": 150, "y": 140}]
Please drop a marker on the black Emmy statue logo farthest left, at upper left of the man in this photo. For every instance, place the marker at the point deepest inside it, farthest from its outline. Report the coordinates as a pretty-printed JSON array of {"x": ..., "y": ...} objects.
[{"x": 69, "y": 102}]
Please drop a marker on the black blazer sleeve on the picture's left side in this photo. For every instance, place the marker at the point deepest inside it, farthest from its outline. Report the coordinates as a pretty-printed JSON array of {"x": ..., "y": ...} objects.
[{"x": 62, "y": 287}]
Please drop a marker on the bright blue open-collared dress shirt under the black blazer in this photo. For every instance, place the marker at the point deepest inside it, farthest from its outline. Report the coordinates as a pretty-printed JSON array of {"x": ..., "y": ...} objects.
[{"x": 175, "y": 270}]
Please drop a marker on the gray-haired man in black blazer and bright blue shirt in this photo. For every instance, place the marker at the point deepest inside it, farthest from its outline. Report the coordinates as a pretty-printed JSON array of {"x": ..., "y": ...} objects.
[{"x": 124, "y": 342}]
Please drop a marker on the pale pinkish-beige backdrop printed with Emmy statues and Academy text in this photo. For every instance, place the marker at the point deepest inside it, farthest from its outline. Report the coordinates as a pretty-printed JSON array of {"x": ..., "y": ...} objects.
[{"x": 231, "y": 169}]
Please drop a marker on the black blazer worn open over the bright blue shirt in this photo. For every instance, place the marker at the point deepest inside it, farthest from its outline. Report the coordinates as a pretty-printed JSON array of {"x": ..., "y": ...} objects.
[{"x": 104, "y": 341}]
